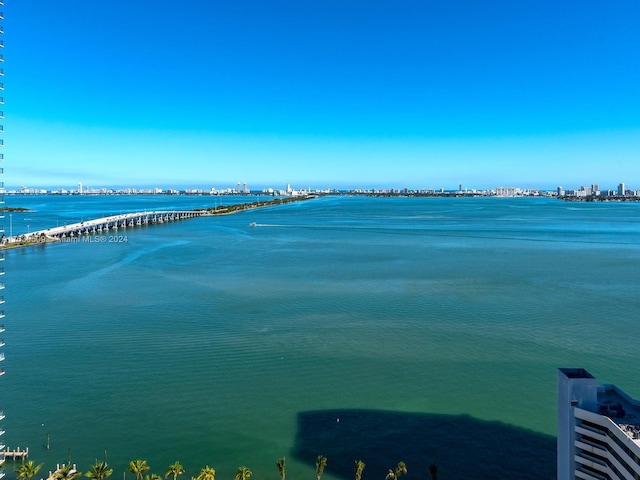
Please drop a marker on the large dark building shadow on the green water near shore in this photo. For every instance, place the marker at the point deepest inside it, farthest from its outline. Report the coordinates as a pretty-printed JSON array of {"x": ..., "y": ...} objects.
[{"x": 461, "y": 446}]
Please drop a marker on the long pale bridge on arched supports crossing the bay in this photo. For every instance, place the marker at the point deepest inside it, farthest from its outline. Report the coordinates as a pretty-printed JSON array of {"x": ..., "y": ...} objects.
[{"x": 107, "y": 224}]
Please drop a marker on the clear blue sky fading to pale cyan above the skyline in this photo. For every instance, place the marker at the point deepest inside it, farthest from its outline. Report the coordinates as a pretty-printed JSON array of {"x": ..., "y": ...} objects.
[{"x": 418, "y": 94}]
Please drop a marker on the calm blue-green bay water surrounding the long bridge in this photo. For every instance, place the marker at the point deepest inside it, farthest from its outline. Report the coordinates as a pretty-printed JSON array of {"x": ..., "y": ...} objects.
[{"x": 423, "y": 330}]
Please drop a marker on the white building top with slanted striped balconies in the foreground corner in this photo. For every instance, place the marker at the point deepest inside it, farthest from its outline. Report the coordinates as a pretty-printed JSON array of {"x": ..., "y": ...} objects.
[{"x": 598, "y": 429}]
